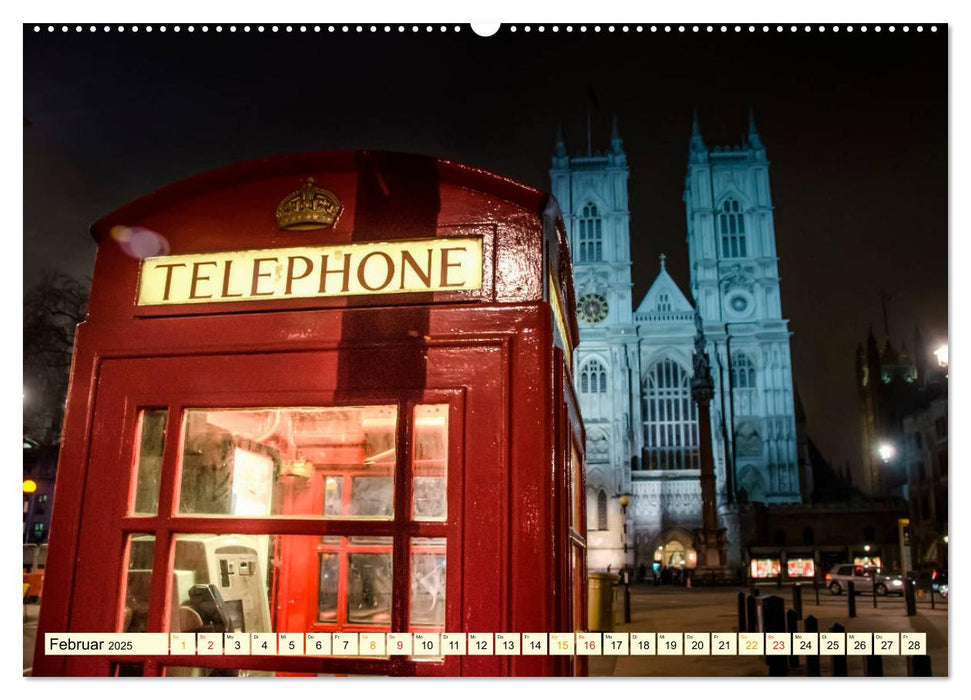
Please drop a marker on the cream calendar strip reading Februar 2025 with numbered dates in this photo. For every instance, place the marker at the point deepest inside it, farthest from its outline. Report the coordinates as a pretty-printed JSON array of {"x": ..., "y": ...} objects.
[{"x": 432, "y": 645}]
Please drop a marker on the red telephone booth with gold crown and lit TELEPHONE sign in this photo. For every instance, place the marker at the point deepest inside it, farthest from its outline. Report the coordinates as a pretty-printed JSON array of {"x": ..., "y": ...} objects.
[{"x": 327, "y": 392}]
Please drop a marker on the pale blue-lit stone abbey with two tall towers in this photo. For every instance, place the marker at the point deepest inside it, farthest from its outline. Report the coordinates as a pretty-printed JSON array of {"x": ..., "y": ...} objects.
[{"x": 633, "y": 366}]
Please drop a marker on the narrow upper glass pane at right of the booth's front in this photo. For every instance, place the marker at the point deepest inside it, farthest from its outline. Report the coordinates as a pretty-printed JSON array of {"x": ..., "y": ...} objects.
[{"x": 430, "y": 501}]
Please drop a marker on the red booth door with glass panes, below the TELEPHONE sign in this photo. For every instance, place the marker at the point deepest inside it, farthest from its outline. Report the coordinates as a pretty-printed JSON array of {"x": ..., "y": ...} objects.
[{"x": 264, "y": 493}]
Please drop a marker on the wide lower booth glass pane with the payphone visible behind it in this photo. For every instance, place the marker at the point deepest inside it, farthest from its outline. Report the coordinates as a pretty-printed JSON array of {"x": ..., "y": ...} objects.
[{"x": 280, "y": 583}]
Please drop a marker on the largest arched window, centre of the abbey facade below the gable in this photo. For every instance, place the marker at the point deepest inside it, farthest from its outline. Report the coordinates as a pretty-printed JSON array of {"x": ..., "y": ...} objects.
[{"x": 670, "y": 419}]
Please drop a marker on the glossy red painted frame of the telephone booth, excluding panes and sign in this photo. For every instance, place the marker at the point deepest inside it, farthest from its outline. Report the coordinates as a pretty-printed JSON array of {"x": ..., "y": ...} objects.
[{"x": 492, "y": 357}]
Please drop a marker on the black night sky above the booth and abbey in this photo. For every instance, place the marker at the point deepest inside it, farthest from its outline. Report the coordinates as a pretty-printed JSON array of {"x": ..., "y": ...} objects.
[{"x": 856, "y": 128}]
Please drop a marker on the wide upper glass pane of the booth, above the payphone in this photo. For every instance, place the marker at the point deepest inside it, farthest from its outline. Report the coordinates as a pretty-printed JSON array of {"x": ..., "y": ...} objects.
[{"x": 333, "y": 462}]
